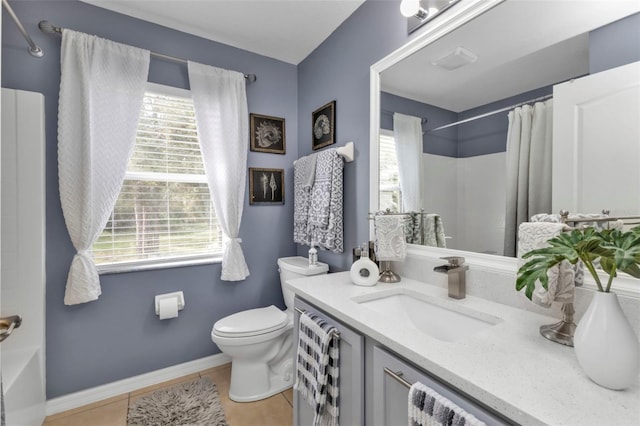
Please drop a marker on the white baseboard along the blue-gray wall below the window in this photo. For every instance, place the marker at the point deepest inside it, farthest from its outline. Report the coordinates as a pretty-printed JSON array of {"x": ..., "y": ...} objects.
[{"x": 99, "y": 393}]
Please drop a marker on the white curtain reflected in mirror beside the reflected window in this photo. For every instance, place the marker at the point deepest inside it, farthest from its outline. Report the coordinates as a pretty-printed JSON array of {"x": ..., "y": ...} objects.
[{"x": 407, "y": 132}]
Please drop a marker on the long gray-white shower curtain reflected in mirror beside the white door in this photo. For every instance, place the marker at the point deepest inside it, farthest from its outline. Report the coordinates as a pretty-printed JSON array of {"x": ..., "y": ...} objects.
[{"x": 529, "y": 144}]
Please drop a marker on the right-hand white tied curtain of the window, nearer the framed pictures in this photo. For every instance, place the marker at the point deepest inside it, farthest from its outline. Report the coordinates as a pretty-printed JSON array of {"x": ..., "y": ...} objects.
[{"x": 220, "y": 103}]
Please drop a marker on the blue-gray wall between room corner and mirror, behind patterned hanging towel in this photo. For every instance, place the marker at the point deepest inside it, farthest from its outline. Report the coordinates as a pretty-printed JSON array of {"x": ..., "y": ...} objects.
[{"x": 339, "y": 70}]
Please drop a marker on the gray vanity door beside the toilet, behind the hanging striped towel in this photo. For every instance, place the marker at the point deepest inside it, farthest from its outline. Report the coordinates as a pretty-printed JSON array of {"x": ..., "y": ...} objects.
[{"x": 351, "y": 382}]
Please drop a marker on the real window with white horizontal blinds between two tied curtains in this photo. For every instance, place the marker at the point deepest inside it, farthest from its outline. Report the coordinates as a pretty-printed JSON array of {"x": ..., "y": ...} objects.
[{"x": 164, "y": 212}]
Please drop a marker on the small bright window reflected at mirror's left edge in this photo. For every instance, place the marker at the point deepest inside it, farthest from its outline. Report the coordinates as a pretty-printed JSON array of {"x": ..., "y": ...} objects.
[{"x": 390, "y": 196}]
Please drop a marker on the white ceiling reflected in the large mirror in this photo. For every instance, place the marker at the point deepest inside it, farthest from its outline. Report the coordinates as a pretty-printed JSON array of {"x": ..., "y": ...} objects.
[{"x": 521, "y": 45}]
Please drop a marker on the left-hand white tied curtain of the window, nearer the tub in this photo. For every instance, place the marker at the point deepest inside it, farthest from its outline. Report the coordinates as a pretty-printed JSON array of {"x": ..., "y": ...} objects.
[{"x": 101, "y": 90}]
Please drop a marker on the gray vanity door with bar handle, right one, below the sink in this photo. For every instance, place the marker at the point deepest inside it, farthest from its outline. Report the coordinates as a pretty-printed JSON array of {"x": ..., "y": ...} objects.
[{"x": 390, "y": 395}]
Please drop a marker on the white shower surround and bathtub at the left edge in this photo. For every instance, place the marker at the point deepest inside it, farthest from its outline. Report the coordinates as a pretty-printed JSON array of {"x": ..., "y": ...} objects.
[{"x": 22, "y": 264}]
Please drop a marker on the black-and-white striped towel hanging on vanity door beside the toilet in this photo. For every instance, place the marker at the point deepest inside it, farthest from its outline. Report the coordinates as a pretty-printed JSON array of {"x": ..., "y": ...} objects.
[{"x": 317, "y": 368}]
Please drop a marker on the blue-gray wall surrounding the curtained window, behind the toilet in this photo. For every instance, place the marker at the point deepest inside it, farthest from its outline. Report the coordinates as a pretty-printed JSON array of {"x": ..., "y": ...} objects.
[{"x": 119, "y": 335}]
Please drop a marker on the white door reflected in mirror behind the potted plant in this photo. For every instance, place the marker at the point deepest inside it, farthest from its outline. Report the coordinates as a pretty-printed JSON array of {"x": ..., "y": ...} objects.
[{"x": 596, "y": 143}]
